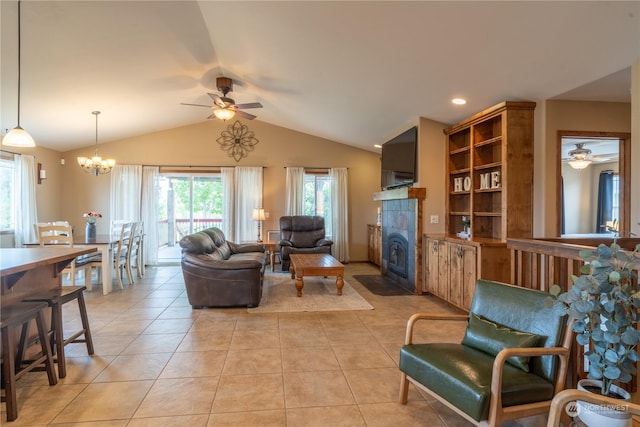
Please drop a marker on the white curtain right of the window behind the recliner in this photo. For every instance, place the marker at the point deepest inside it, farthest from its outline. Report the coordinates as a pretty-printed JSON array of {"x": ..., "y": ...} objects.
[{"x": 340, "y": 214}]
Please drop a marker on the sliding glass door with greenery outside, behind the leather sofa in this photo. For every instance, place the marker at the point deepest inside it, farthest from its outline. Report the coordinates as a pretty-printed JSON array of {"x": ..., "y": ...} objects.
[{"x": 187, "y": 203}]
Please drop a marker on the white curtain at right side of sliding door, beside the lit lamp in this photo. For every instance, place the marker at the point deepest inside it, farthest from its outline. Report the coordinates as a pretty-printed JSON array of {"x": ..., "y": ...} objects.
[{"x": 248, "y": 197}]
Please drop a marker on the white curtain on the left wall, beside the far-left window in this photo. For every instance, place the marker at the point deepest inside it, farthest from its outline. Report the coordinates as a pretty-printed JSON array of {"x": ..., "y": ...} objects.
[{"x": 26, "y": 212}]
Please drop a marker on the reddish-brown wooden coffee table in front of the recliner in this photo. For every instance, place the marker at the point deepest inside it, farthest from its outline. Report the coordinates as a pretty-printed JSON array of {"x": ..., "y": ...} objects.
[{"x": 316, "y": 265}]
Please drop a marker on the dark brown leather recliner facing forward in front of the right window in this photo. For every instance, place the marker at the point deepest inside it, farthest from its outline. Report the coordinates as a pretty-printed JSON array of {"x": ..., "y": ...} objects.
[{"x": 302, "y": 235}]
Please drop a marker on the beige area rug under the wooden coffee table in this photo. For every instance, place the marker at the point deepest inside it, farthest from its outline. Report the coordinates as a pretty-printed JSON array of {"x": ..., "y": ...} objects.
[{"x": 318, "y": 294}]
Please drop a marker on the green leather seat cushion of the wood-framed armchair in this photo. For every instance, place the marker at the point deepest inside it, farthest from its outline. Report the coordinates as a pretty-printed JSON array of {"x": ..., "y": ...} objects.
[{"x": 462, "y": 375}]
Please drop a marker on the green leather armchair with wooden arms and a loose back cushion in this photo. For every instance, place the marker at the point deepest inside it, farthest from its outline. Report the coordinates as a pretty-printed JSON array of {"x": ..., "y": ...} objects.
[{"x": 512, "y": 361}]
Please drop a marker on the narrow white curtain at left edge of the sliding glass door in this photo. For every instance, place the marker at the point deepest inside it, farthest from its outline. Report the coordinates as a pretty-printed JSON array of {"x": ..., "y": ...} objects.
[{"x": 149, "y": 214}]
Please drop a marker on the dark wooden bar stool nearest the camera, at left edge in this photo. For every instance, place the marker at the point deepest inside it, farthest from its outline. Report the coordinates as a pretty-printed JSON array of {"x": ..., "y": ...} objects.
[{"x": 20, "y": 315}]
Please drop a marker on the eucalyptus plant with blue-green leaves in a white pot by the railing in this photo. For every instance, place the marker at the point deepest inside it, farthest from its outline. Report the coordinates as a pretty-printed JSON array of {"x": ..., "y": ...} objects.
[{"x": 604, "y": 303}]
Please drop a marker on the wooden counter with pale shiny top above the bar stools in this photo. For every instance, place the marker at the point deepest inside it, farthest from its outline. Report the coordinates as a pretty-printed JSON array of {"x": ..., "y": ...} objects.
[{"x": 25, "y": 271}]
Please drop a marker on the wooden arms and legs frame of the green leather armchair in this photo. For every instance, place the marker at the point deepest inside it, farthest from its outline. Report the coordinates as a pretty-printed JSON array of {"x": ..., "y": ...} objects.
[{"x": 497, "y": 412}]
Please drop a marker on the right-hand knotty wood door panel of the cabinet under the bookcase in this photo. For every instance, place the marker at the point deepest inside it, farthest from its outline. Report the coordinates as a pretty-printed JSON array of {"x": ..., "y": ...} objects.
[{"x": 462, "y": 277}]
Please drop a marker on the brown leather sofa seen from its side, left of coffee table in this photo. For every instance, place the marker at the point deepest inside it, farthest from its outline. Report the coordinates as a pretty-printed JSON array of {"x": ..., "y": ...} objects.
[{"x": 219, "y": 273}]
